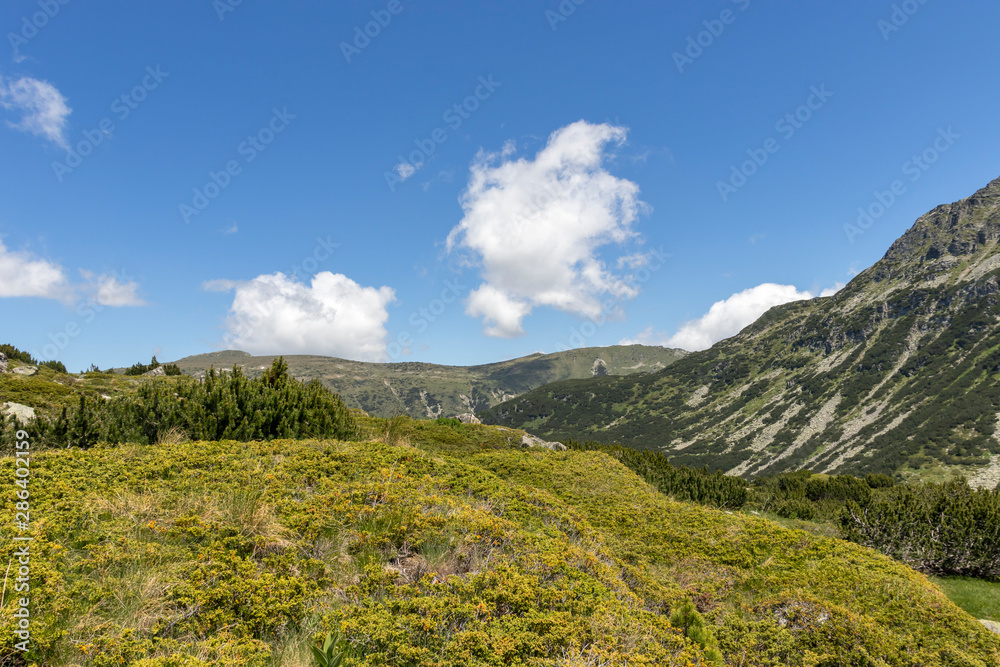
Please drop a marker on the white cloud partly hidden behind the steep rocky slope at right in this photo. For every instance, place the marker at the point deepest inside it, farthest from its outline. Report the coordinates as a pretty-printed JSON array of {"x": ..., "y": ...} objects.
[{"x": 727, "y": 318}]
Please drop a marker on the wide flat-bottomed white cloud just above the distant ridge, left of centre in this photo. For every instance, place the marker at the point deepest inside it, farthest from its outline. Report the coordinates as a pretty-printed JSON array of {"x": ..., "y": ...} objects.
[{"x": 333, "y": 315}]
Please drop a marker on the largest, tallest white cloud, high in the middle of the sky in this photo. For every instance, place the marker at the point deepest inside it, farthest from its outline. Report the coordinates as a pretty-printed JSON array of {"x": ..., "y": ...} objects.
[{"x": 534, "y": 228}]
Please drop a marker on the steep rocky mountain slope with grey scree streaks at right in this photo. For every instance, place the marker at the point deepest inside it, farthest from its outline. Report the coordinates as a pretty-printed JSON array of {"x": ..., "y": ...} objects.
[{"x": 897, "y": 373}]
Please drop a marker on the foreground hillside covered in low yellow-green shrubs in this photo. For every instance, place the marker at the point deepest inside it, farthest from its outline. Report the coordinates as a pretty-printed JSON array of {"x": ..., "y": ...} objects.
[{"x": 445, "y": 547}]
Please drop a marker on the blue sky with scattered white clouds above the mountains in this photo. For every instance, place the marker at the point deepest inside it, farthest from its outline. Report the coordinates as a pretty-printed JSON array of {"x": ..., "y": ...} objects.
[{"x": 467, "y": 182}]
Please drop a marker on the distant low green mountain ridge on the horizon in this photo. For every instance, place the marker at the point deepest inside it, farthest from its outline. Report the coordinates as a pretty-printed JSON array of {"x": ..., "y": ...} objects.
[{"x": 428, "y": 390}]
